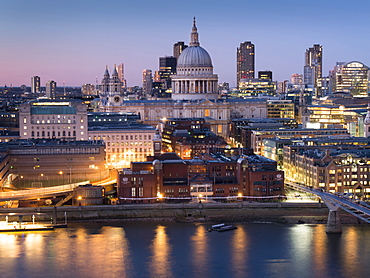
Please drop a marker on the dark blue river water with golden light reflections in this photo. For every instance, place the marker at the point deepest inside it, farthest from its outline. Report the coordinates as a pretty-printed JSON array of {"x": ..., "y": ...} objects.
[{"x": 152, "y": 249}]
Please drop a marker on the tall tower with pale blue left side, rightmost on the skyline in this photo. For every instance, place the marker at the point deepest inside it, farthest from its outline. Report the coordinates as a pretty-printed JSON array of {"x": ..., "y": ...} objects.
[{"x": 313, "y": 65}]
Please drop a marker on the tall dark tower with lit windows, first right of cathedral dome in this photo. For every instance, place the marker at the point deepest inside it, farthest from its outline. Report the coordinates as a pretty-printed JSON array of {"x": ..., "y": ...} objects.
[{"x": 245, "y": 61}]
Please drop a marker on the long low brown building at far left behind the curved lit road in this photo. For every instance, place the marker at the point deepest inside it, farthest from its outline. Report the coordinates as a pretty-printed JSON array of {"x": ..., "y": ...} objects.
[{"x": 49, "y": 162}]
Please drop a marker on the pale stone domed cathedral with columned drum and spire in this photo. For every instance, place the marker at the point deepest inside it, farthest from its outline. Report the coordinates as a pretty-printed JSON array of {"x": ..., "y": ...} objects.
[{"x": 194, "y": 94}]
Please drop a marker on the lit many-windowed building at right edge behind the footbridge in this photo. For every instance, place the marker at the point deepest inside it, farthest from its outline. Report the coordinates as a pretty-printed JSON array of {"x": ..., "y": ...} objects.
[{"x": 331, "y": 169}]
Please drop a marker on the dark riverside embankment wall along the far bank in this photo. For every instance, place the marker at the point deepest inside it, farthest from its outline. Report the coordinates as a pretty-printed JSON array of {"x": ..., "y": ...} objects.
[{"x": 290, "y": 213}]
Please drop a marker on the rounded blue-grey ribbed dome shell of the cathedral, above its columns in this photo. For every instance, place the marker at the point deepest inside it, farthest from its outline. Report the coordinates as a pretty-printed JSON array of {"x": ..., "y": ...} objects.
[{"x": 194, "y": 56}]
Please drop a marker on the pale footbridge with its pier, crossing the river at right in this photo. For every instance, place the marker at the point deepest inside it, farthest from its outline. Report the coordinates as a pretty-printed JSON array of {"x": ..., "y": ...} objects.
[{"x": 357, "y": 208}]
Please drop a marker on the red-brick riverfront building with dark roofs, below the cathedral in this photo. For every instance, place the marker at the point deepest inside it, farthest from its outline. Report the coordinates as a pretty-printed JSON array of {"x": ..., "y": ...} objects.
[{"x": 223, "y": 173}]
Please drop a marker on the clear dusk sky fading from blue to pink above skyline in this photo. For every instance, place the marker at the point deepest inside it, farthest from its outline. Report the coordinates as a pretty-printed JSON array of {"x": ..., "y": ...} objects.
[{"x": 73, "y": 40}]
